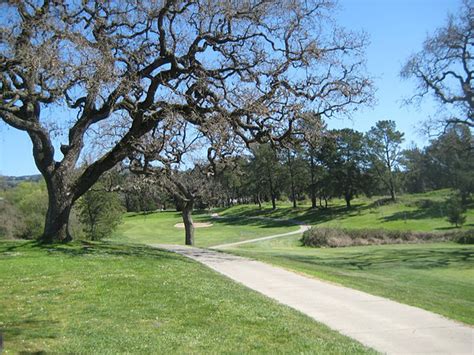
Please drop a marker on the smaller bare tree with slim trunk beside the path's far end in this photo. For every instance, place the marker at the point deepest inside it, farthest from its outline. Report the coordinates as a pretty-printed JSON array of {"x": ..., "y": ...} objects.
[{"x": 161, "y": 157}]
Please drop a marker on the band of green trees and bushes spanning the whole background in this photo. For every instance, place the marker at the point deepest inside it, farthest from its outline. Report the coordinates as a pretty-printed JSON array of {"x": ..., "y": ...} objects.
[{"x": 340, "y": 163}]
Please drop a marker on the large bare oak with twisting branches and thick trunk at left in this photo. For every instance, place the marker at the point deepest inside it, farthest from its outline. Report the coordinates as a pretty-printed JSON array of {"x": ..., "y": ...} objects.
[{"x": 72, "y": 68}]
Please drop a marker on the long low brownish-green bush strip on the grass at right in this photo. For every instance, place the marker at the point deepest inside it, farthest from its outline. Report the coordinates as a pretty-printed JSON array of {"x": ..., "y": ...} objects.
[{"x": 334, "y": 238}]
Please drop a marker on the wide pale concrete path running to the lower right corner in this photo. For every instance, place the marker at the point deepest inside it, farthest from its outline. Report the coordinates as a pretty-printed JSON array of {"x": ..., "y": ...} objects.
[{"x": 379, "y": 323}]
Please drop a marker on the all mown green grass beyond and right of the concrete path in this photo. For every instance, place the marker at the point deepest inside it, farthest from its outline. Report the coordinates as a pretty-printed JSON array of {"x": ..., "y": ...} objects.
[{"x": 436, "y": 277}]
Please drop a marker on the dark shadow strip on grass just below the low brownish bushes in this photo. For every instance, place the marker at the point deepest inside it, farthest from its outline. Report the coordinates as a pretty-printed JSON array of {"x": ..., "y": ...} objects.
[{"x": 415, "y": 258}]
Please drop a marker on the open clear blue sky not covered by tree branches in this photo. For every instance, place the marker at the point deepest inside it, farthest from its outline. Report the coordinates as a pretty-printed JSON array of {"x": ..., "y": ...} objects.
[{"x": 397, "y": 28}]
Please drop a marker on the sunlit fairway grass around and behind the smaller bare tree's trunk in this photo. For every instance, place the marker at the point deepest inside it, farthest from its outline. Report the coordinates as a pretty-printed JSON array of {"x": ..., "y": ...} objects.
[{"x": 159, "y": 227}]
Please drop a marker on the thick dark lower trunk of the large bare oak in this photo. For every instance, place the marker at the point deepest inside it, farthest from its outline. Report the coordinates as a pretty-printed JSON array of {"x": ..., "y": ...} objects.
[{"x": 57, "y": 217}]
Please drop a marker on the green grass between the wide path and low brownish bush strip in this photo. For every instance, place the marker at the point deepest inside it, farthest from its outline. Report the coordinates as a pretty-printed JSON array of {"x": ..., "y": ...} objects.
[{"x": 437, "y": 277}]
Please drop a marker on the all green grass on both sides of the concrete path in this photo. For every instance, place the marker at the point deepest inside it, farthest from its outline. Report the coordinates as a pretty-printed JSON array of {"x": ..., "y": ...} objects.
[{"x": 117, "y": 298}]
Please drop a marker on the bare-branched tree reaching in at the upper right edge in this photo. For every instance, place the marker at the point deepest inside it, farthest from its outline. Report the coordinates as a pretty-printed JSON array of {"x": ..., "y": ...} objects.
[{"x": 445, "y": 68}]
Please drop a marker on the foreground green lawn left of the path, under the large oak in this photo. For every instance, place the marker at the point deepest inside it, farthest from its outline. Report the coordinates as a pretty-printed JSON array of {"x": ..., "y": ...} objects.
[{"x": 108, "y": 298}]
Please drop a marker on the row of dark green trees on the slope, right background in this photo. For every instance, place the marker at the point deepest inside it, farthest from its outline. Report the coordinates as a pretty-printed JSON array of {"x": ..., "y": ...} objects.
[{"x": 345, "y": 163}]
